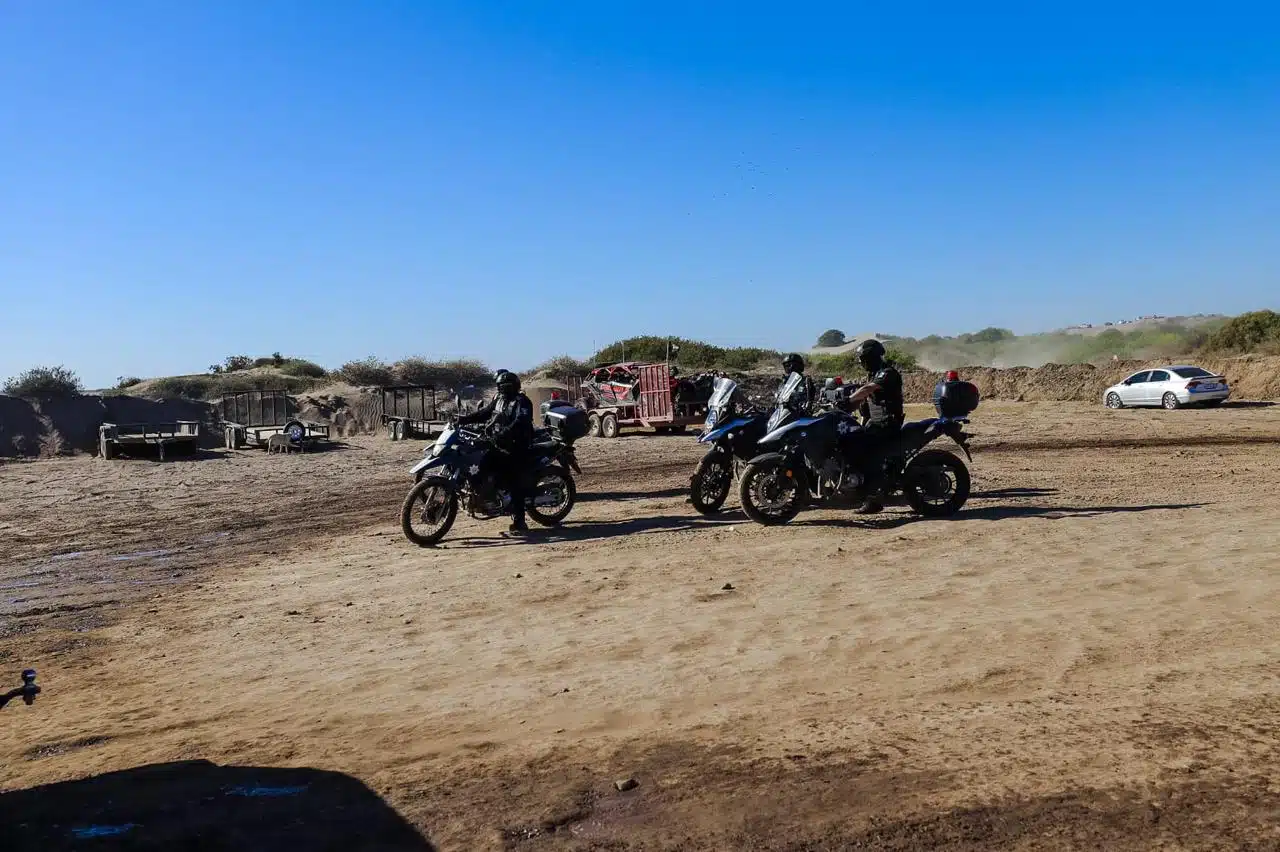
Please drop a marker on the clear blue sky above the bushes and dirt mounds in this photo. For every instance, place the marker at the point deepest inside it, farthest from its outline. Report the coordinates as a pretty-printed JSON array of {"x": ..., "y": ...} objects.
[{"x": 511, "y": 181}]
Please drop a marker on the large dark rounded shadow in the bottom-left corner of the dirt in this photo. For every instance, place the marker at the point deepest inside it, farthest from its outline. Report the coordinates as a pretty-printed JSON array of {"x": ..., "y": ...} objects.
[{"x": 199, "y": 805}]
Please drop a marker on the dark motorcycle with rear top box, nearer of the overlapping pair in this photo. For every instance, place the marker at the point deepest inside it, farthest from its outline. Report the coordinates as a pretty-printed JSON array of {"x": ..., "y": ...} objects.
[{"x": 802, "y": 464}]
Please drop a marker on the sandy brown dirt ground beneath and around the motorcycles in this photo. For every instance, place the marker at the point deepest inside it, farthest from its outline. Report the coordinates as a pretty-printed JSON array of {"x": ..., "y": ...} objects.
[{"x": 1089, "y": 657}]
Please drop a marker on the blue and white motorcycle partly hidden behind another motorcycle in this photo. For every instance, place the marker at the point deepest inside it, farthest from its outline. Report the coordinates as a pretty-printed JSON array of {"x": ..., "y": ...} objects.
[{"x": 734, "y": 427}]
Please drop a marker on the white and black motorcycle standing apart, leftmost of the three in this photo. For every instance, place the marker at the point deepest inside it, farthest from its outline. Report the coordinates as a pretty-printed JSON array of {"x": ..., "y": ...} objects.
[{"x": 449, "y": 478}]
